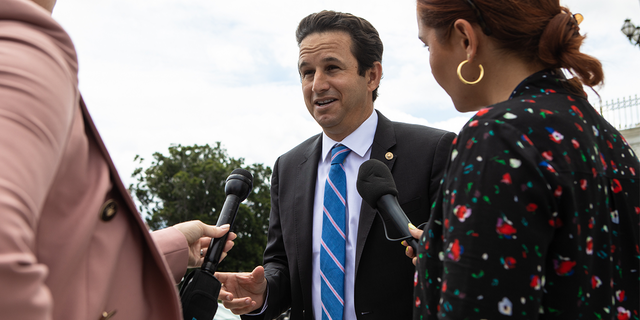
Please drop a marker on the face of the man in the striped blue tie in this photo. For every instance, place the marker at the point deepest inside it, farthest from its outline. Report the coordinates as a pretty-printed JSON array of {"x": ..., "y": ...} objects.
[{"x": 337, "y": 97}]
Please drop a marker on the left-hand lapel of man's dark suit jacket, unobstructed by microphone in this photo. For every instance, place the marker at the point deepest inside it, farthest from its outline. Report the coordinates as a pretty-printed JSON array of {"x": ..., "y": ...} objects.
[{"x": 306, "y": 175}]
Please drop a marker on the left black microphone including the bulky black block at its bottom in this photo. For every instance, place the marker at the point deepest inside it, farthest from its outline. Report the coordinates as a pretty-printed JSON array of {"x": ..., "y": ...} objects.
[{"x": 200, "y": 288}]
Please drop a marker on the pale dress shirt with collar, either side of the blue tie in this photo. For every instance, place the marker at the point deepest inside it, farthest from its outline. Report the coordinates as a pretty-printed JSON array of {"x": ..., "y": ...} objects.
[{"x": 359, "y": 142}]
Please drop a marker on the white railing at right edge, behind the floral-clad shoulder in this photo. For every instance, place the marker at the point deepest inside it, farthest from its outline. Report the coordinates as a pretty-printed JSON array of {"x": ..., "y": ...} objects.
[{"x": 622, "y": 114}]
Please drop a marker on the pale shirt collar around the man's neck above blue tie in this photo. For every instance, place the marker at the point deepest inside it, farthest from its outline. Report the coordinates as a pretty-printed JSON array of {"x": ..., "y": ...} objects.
[{"x": 358, "y": 141}]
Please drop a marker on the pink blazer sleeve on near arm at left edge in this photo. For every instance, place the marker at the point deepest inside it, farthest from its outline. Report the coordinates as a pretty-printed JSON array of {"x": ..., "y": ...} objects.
[{"x": 38, "y": 100}]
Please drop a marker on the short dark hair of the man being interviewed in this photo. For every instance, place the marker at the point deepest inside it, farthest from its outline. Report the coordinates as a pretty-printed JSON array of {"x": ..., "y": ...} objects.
[{"x": 366, "y": 44}]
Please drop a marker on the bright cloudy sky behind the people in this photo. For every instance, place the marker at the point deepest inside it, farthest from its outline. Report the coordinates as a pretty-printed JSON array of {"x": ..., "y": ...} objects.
[{"x": 161, "y": 72}]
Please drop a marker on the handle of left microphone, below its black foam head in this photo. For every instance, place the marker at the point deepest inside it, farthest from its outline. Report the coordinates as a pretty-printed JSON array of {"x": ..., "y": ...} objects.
[{"x": 216, "y": 246}]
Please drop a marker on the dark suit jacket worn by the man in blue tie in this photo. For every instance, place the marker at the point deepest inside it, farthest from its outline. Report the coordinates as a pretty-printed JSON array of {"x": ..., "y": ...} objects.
[{"x": 384, "y": 275}]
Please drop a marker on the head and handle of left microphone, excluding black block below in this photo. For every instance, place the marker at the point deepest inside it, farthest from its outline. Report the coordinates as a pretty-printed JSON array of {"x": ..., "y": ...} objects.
[{"x": 237, "y": 188}]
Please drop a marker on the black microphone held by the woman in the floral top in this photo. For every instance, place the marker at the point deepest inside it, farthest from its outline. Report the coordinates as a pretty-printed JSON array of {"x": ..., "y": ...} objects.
[{"x": 377, "y": 188}]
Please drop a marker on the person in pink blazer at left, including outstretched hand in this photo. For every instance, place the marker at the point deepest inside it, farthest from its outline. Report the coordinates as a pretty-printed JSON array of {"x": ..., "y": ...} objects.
[{"x": 72, "y": 245}]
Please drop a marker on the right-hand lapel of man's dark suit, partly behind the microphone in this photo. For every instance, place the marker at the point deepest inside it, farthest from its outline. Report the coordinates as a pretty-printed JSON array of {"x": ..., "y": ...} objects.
[{"x": 383, "y": 141}]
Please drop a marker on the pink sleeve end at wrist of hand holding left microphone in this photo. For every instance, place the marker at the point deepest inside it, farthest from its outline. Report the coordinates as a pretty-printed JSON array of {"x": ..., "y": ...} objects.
[{"x": 175, "y": 249}]
